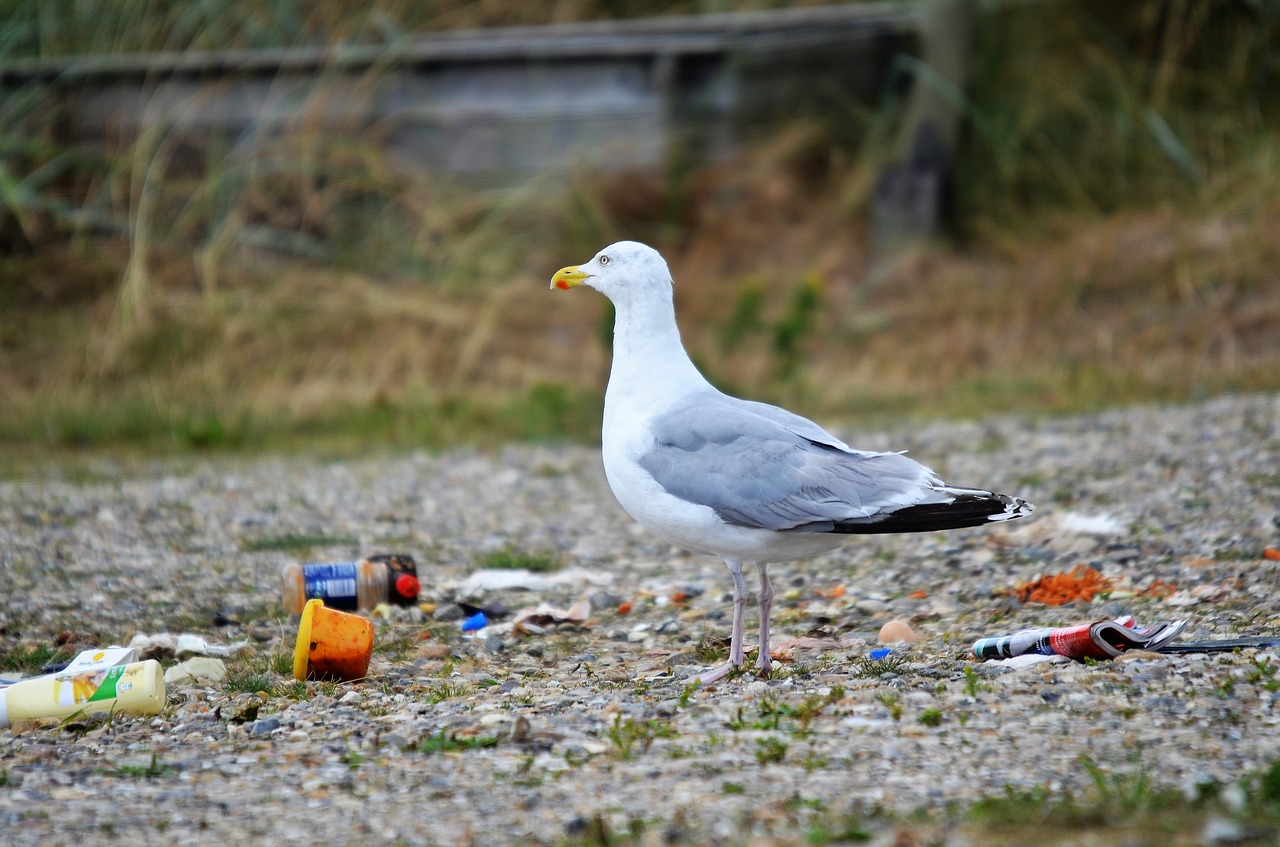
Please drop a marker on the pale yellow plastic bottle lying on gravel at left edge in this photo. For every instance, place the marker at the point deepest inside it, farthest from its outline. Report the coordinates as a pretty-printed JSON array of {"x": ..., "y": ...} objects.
[{"x": 131, "y": 689}]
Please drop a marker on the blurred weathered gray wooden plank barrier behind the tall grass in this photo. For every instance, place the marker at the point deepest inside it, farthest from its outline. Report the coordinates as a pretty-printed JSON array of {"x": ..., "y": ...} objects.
[{"x": 495, "y": 104}]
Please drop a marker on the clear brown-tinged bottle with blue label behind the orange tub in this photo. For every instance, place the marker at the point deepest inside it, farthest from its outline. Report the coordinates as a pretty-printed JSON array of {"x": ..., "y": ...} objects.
[{"x": 351, "y": 587}]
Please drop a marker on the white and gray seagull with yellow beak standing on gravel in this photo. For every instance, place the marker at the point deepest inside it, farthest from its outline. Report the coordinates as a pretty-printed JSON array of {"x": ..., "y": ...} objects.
[{"x": 747, "y": 482}]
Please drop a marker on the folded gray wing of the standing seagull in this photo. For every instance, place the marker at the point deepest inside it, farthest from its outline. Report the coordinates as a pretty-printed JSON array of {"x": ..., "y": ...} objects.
[{"x": 761, "y": 466}]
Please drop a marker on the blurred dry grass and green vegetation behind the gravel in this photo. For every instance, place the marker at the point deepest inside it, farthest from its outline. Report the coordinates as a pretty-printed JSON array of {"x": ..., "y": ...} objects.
[{"x": 1117, "y": 219}]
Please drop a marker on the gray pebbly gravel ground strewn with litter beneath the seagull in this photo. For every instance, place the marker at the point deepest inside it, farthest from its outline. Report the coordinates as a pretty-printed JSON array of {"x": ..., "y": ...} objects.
[{"x": 593, "y": 734}]
